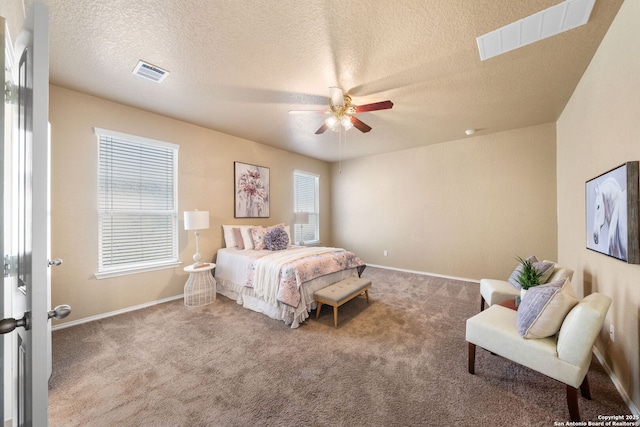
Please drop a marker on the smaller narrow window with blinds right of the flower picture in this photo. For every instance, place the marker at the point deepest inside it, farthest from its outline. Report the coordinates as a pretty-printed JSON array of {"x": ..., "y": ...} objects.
[{"x": 305, "y": 199}]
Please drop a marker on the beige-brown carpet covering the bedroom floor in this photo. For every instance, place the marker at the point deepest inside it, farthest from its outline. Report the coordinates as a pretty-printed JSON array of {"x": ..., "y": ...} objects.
[{"x": 399, "y": 361}]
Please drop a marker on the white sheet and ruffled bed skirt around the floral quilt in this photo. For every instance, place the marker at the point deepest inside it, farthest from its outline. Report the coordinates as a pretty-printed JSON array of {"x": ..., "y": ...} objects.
[{"x": 231, "y": 277}]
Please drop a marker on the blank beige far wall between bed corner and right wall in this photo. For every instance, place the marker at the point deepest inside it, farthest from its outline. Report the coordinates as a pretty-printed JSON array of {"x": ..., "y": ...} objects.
[{"x": 464, "y": 208}]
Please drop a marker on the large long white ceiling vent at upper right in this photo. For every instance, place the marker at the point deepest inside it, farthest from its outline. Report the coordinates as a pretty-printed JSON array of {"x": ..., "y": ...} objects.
[{"x": 557, "y": 19}]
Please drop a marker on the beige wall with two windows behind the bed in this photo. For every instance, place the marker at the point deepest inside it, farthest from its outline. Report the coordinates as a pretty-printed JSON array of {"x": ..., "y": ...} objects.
[{"x": 205, "y": 182}]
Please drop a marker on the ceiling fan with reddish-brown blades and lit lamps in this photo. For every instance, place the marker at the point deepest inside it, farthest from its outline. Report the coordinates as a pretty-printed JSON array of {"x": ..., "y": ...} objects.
[{"x": 342, "y": 112}]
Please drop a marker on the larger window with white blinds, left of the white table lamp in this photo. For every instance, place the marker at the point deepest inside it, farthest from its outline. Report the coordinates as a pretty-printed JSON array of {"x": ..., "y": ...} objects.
[{"x": 137, "y": 204}]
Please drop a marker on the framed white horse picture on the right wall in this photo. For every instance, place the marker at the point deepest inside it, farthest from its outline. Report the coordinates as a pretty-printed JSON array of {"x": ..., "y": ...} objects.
[{"x": 612, "y": 213}]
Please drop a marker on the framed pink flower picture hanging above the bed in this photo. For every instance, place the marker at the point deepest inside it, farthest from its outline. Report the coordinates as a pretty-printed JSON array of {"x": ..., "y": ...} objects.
[{"x": 251, "y": 188}]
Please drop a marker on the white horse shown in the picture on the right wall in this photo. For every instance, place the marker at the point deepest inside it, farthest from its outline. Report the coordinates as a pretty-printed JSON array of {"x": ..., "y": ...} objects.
[{"x": 611, "y": 207}]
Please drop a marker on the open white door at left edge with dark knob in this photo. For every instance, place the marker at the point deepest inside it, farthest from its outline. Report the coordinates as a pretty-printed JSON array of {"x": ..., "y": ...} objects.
[{"x": 29, "y": 211}]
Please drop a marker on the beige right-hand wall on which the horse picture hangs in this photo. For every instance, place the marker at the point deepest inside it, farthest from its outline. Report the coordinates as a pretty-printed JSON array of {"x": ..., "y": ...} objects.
[{"x": 598, "y": 131}]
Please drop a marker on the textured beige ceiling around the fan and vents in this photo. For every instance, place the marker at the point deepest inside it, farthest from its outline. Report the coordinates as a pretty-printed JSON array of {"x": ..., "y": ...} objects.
[{"x": 239, "y": 66}]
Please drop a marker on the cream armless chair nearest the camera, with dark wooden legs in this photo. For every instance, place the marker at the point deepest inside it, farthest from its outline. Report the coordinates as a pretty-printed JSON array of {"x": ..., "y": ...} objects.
[{"x": 565, "y": 356}]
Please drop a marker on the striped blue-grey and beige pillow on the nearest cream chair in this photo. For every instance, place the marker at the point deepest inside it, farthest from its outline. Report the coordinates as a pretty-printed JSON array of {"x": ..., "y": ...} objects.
[{"x": 544, "y": 308}]
